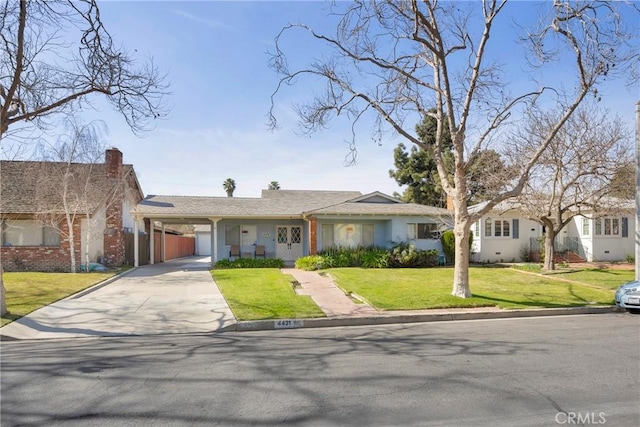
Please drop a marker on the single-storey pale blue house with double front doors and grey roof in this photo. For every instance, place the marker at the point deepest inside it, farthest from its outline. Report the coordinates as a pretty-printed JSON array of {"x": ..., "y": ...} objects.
[{"x": 290, "y": 224}]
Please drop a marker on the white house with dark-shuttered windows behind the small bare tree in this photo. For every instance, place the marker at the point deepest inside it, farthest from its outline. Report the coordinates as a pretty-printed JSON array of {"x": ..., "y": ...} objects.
[{"x": 505, "y": 235}]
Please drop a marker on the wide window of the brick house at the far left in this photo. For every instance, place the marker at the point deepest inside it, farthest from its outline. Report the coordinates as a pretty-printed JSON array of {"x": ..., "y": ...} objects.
[{"x": 28, "y": 233}]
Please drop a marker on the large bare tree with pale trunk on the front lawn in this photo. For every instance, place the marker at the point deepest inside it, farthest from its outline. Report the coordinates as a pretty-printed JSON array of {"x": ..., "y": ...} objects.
[{"x": 398, "y": 59}]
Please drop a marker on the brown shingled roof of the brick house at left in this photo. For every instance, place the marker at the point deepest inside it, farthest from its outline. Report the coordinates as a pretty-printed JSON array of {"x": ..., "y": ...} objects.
[{"x": 30, "y": 187}]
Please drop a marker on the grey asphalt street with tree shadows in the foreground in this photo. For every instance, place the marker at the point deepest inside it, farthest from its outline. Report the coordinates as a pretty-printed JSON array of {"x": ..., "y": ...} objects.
[{"x": 566, "y": 370}]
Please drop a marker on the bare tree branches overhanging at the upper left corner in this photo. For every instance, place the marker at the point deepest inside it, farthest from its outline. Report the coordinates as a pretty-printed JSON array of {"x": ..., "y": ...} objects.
[{"x": 47, "y": 69}]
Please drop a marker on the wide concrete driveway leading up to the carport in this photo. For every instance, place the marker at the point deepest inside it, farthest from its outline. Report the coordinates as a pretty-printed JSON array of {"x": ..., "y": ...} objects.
[{"x": 178, "y": 296}]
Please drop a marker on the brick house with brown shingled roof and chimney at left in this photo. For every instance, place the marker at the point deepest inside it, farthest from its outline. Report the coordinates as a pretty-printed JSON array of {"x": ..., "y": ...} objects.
[{"x": 32, "y": 212}]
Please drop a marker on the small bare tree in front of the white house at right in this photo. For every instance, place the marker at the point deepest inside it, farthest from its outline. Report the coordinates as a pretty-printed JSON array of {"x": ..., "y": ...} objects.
[{"x": 574, "y": 175}]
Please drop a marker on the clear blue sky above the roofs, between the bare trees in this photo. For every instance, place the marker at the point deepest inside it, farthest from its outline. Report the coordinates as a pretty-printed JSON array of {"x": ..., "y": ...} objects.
[{"x": 214, "y": 54}]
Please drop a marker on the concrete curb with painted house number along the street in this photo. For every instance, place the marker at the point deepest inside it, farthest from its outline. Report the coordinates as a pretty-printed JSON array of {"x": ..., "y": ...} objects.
[{"x": 265, "y": 325}]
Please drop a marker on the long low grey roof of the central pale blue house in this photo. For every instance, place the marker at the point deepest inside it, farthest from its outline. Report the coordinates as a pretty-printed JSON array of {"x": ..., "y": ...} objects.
[{"x": 280, "y": 204}]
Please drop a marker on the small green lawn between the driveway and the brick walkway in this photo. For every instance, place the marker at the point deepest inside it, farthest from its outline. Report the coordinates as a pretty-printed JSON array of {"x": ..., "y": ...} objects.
[{"x": 263, "y": 293}]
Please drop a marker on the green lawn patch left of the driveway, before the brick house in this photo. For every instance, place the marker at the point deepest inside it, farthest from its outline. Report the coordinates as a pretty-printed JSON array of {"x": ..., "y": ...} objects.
[{"x": 29, "y": 291}]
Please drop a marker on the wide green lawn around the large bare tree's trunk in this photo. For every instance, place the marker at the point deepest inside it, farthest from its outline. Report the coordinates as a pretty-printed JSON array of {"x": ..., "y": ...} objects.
[{"x": 411, "y": 289}]
